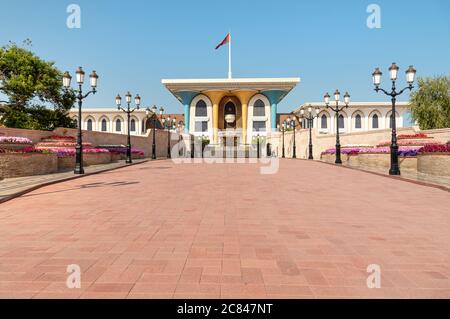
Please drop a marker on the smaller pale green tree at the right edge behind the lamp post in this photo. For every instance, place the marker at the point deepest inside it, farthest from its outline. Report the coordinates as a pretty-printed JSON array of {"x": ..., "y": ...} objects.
[{"x": 430, "y": 104}]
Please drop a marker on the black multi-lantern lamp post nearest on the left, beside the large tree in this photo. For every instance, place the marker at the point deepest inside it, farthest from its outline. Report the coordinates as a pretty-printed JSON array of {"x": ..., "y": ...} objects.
[{"x": 93, "y": 77}]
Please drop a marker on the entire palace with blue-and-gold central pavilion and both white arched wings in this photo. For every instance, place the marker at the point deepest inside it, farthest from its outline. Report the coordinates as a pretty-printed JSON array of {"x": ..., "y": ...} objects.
[{"x": 240, "y": 109}]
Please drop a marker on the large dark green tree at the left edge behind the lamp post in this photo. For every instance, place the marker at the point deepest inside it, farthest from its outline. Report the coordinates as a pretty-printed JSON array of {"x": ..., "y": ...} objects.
[{"x": 32, "y": 86}]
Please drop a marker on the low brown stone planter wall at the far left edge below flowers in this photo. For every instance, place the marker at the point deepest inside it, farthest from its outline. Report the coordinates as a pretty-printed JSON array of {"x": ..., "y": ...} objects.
[{"x": 19, "y": 165}]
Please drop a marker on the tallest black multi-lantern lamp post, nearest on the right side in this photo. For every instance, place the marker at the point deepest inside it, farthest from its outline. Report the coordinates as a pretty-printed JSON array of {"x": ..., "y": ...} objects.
[{"x": 393, "y": 72}]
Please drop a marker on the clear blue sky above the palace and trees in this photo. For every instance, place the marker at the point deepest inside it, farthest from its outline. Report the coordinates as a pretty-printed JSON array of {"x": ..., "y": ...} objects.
[{"x": 134, "y": 44}]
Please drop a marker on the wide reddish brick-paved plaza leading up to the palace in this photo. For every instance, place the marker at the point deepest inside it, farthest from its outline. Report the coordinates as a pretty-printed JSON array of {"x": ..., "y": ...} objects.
[{"x": 160, "y": 230}]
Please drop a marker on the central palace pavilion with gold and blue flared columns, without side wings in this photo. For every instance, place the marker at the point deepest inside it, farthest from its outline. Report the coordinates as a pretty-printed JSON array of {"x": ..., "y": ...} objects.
[{"x": 230, "y": 108}]
